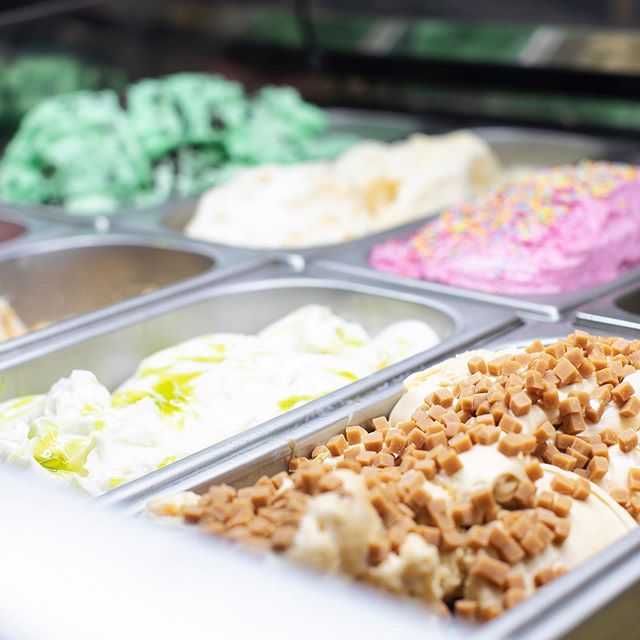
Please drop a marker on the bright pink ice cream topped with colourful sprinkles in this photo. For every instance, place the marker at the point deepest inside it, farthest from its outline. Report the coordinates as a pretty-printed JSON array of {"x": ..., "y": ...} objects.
[{"x": 548, "y": 231}]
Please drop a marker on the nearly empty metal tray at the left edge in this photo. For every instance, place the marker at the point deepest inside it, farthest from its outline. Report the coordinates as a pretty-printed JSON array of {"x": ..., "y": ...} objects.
[{"x": 60, "y": 282}]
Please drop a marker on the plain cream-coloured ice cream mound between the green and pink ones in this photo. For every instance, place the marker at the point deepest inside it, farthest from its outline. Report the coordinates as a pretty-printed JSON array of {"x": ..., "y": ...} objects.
[{"x": 370, "y": 187}]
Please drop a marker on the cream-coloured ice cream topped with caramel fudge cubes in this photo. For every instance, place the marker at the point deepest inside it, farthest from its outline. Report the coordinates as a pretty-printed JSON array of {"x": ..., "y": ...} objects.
[{"x": 495, "y": 473}]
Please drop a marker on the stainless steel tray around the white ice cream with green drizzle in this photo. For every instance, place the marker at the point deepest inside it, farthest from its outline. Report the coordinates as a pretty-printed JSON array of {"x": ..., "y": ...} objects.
[{"x": 114, "y": 347}]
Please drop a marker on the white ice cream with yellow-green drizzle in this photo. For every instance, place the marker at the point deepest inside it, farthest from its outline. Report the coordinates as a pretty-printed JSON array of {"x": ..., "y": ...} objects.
[{"x": 190, "y": 396}]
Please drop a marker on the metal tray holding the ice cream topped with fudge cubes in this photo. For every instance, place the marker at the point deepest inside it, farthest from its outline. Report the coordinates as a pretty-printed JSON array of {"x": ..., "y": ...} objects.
[{"x": 585, "y": 594}]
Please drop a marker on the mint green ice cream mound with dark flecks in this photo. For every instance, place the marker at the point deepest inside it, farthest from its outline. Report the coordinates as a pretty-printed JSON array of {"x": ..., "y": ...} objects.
[{"x": 96, "y": 153}]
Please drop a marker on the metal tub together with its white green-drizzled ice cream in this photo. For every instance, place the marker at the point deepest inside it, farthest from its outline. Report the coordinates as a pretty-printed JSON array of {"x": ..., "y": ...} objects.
[{"x": 185, "y": 398}]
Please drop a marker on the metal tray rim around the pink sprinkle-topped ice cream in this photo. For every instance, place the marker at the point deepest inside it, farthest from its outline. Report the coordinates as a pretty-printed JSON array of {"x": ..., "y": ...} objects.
[{"x": 352, "y": 258}]
